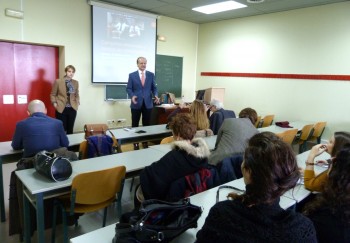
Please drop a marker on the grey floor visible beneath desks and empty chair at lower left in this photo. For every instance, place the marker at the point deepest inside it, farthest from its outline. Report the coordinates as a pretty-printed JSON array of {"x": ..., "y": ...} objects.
[{"x": 87, "y": 222}]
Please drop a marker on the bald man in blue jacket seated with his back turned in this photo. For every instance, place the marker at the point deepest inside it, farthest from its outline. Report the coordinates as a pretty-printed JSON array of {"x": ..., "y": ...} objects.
[{"x": 38, "y": 132}]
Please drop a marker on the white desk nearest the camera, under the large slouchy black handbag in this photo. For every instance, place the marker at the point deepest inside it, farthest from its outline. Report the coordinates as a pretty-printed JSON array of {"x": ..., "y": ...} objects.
[{"x": 204, "y": 199}]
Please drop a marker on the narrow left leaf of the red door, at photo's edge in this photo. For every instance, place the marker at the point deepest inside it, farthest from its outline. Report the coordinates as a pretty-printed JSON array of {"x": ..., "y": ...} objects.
[{"x": 7, "y": 87}]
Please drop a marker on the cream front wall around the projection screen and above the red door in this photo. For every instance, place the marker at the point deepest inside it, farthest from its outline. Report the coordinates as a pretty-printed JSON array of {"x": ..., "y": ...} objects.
[{"x": 67, "y": 24}]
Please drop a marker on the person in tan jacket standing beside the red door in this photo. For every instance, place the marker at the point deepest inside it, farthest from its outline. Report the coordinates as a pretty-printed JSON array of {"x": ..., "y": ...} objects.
[{"x": 65, "y": 98}]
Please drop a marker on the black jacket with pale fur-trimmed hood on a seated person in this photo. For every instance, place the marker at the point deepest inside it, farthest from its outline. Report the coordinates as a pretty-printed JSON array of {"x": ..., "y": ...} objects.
[{"x": 184, "y": 159}]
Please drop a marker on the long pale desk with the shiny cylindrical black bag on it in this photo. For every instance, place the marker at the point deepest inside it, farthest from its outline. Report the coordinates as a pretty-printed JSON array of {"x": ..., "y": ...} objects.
[{"x": 37, "y": 187}]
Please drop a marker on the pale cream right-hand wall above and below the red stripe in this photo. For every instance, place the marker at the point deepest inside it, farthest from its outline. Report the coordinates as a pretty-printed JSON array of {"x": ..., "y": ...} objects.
[{"x": 305, "y": 41}]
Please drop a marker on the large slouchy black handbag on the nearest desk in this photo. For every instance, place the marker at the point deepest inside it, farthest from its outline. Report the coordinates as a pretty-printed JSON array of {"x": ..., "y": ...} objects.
[{"x": 157, "y": 221}]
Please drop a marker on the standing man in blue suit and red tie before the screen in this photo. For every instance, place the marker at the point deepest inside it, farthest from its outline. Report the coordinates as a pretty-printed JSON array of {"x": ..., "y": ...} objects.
[{"x": 141, "y": 86}]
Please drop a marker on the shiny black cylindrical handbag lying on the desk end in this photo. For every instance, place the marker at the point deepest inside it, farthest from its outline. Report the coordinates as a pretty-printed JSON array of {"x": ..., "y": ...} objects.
[{"x": 50, "y": 165}]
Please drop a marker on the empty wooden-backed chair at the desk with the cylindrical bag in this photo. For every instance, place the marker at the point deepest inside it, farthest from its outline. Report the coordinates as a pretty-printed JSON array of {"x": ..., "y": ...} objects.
[{"x": 90, "y": 192}]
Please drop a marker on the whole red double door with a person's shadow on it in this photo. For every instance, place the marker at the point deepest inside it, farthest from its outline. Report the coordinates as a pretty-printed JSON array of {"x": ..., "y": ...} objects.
[{"x": 25, "y": 70}]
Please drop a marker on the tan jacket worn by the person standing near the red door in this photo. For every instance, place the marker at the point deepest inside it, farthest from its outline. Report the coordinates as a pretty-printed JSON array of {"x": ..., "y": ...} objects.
[{"x": 59, "y": 95}]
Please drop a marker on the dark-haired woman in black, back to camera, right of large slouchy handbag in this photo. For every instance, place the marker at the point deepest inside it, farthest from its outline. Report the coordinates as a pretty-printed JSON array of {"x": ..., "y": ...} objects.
[{"x": 269, "y": 169}]
